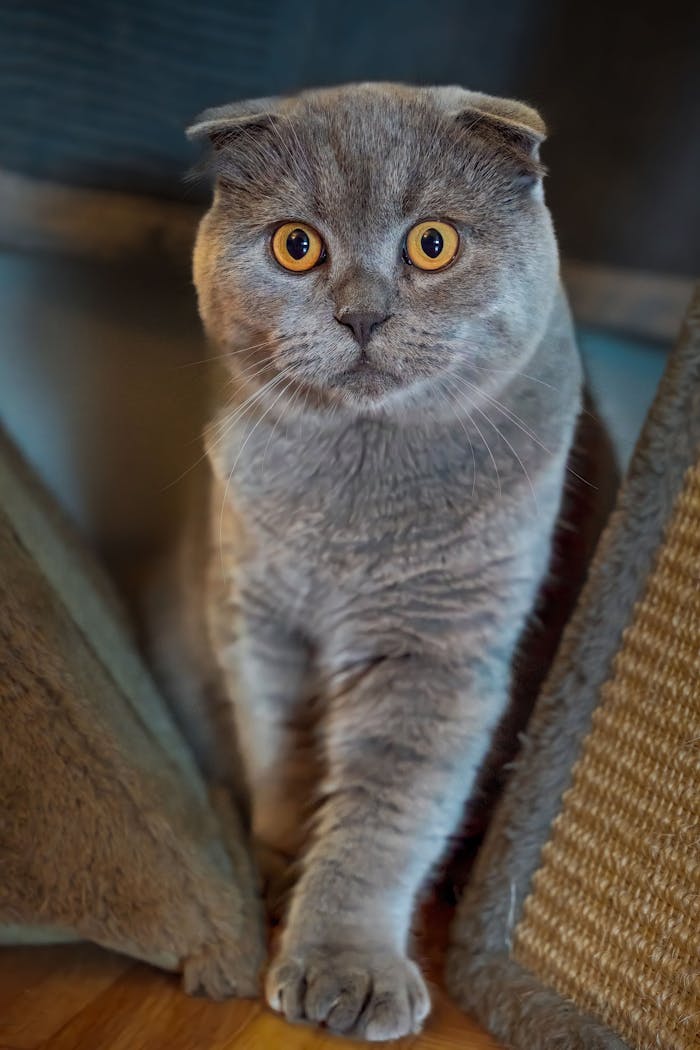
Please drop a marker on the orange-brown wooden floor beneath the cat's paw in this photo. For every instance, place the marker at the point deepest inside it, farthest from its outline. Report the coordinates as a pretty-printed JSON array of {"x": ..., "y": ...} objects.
[{"x": 81, "y": 998}]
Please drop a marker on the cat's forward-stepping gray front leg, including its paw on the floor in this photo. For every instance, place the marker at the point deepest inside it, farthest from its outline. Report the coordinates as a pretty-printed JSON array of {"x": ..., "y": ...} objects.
[{"x": 405, "y": 743}]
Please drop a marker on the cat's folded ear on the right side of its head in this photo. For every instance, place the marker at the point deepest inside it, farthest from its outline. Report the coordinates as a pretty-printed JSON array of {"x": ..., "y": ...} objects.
[{"x": 508, "y": 123}]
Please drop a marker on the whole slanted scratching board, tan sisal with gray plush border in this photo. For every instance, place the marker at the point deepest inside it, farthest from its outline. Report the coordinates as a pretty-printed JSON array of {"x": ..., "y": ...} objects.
[{"x": 581, "y": 928}]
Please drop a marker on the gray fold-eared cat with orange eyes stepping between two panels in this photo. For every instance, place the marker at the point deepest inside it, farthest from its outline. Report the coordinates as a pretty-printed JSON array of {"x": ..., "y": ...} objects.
[{"x": 380, "y": 276}]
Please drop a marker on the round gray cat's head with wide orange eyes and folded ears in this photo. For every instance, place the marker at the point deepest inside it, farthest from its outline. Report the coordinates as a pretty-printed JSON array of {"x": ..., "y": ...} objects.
[{"x": 369, "y": 242}]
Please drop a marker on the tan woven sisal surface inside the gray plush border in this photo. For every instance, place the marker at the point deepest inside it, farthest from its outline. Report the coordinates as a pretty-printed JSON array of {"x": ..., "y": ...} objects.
[{"x": 613, "y": 920}]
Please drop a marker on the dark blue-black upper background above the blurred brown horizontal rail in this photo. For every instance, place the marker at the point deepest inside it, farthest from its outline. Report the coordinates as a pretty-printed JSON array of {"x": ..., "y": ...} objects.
[{"x": 97, "y": 94}]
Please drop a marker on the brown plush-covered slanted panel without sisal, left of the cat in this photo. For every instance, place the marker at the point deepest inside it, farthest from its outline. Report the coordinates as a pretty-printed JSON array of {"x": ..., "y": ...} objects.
[{"x": 107, "y": 830}]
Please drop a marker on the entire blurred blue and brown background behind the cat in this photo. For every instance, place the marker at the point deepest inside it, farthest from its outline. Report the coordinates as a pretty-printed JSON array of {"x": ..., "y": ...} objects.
[{"x": 99, "y": 335}]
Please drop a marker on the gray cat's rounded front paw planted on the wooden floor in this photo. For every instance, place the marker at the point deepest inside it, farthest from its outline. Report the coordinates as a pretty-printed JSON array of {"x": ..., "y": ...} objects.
[{"x": 375, "y": 995}]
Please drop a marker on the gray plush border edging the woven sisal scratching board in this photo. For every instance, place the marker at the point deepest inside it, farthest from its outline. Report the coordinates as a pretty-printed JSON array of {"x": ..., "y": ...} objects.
[{"x": 480, "y": 973}]
